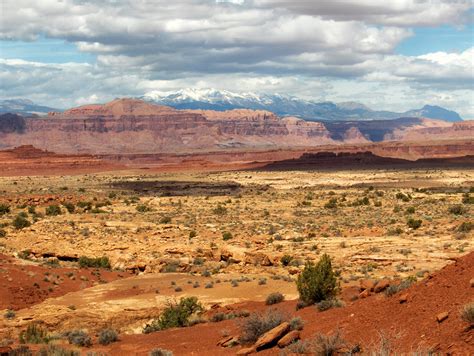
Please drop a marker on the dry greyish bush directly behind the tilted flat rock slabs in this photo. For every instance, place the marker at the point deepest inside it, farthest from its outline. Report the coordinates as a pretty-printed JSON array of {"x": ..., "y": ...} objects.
[{"x": 256, "y": 325}]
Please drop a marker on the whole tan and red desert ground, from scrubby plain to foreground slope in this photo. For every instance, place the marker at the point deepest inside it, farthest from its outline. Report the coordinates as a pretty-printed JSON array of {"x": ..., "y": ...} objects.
[{"x": 231, "y": 239}]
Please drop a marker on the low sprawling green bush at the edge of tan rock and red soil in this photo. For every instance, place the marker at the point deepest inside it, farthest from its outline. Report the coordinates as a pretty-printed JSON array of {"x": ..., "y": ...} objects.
[{"x": 175, "y": 315}]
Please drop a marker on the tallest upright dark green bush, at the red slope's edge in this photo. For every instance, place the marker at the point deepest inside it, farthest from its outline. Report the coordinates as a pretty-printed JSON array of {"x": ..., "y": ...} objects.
[{"x": 317, "y": 282}]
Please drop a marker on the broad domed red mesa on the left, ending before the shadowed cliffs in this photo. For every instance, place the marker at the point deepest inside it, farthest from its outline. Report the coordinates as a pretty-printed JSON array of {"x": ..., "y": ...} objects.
[{"x": 134, "y": 126}]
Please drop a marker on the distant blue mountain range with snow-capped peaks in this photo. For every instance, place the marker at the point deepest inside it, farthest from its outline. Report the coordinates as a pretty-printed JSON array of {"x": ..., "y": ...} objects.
[{"x": 285, "y": 105}]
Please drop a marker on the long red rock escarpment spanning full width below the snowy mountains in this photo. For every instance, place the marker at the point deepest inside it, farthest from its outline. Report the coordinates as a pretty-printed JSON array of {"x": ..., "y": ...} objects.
[{"x": 130, "y": 126}]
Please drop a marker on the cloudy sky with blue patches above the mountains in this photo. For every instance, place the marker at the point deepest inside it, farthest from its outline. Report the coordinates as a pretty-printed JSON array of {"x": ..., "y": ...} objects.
[{"x": 397, "y": 54}]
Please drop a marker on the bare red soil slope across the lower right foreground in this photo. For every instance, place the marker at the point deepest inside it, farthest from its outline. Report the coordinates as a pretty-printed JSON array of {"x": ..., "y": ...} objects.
[{"x": 410, "y": 326}]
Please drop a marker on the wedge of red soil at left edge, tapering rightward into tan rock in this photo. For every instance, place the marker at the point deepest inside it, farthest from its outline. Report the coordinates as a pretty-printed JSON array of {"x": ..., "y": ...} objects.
[{"x": 23, "y": 284}]
